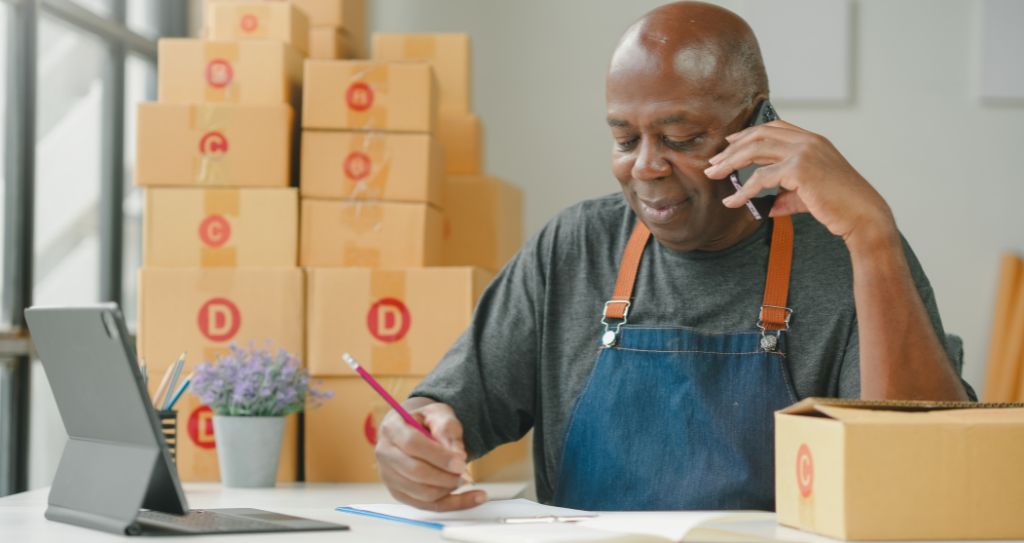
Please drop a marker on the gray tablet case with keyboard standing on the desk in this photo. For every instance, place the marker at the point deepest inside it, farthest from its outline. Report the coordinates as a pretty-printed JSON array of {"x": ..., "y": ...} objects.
[{"x": 116, "y": 462}]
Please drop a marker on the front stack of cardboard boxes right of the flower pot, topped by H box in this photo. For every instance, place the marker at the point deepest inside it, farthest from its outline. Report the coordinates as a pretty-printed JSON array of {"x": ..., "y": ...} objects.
[{"x": 372, "y": 238}]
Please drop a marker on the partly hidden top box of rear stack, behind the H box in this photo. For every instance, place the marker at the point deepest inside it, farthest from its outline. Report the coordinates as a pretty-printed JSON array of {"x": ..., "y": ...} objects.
[{"x": 448, "y": 54}]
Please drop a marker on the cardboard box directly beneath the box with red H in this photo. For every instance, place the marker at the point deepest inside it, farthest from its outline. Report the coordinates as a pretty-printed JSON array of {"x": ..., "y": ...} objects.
[{"x": 372, "y": 166}]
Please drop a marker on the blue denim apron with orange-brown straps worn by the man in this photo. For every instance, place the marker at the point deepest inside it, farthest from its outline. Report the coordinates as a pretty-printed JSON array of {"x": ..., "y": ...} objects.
[{"x": 672, "y": 419}]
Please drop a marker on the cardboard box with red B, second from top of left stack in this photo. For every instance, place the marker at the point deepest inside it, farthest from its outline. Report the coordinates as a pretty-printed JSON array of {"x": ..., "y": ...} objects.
[{"x": 192, "y": 71}]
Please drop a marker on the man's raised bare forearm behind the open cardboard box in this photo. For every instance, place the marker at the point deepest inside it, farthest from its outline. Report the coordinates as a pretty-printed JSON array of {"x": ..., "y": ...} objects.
[{"x": 902, "y": 357}]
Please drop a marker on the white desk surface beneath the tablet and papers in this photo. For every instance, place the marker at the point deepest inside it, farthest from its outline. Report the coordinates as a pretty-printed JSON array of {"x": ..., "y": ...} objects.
[{"x": 22, "y": 518}]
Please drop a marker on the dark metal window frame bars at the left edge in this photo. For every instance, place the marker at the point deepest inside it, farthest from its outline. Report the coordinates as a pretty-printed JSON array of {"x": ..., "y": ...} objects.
[{"x": 20, "y": 180}]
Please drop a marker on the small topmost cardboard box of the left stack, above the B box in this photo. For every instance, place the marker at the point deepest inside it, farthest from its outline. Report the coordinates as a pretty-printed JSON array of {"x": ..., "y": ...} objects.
[{"x": 275, "y": 21}]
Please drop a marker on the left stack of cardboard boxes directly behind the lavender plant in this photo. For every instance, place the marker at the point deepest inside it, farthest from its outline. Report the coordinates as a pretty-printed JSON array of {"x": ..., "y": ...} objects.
[{"x": 222, "y": 218}]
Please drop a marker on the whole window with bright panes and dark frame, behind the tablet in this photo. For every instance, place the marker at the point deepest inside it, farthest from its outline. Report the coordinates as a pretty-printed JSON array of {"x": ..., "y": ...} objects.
[{"x": 71, "y": 74}]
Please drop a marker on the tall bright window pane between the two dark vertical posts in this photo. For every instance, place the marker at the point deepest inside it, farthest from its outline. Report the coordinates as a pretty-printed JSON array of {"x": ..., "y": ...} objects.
[{"x": 69, "y": 155}]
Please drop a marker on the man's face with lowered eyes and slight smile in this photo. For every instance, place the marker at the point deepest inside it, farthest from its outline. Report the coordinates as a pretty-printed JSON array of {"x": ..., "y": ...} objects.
[{"x": 665, "y": 129}]
